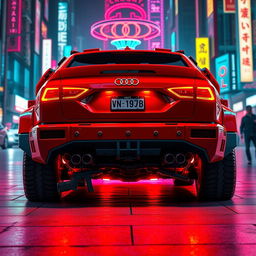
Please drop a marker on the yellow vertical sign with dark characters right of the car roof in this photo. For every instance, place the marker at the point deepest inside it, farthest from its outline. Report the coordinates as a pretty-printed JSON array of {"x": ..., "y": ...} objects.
[{"x": 202, "y": 52}]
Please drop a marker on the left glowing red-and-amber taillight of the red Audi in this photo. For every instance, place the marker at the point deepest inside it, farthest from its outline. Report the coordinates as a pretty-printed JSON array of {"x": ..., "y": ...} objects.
[{"x": 53, "y": 94}]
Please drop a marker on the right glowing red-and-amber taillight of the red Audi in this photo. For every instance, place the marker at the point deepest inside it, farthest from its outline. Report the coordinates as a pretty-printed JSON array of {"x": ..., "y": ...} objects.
[{"x": 187, "y": 92}]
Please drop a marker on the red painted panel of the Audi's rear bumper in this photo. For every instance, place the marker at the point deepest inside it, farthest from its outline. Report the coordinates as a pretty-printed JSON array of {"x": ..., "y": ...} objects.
[{"x": 117, "y": 131}]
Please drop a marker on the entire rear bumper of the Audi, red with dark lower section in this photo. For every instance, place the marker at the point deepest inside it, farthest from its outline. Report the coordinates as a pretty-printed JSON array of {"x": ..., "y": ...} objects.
[{"x": 45, "y": 141}]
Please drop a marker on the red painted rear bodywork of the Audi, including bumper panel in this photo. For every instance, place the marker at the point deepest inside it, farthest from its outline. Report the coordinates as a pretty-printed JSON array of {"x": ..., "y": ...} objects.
[{"x": 165, "y": 112}]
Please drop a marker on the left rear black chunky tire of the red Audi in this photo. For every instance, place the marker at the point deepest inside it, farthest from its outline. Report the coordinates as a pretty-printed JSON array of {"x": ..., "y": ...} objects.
[{"x": 40, "y": 181}]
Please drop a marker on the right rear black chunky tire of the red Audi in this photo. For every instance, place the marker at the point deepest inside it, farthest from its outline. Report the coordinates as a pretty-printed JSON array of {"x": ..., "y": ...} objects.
[{"x": 217, "y": 180}]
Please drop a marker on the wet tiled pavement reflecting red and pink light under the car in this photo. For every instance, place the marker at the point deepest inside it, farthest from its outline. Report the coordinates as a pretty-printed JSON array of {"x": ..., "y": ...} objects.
[{"x": 144, "y": 218}]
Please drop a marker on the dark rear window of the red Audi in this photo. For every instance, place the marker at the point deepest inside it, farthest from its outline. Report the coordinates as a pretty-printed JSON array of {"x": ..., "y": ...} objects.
[{"x": 105, "y": 58}]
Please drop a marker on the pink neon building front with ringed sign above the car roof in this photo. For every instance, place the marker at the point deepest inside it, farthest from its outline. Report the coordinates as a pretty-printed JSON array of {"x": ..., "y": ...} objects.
[{"x": 131, "y": 23}]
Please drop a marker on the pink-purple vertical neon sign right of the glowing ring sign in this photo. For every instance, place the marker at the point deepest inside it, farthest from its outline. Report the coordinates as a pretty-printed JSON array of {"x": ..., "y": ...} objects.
[{"x": 156, "y": 14}]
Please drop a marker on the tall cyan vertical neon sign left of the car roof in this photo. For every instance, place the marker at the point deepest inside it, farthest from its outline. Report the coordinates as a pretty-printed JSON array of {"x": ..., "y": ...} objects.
[{"x": 62, "y": 27}]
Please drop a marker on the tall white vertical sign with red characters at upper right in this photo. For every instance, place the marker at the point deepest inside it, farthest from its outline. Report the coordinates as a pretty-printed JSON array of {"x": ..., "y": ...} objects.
[{"x": 245, "y": 40}]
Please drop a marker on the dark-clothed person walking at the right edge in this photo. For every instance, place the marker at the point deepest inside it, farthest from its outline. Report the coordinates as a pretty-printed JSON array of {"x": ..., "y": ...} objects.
[{"x": 248, "y": 131}]
